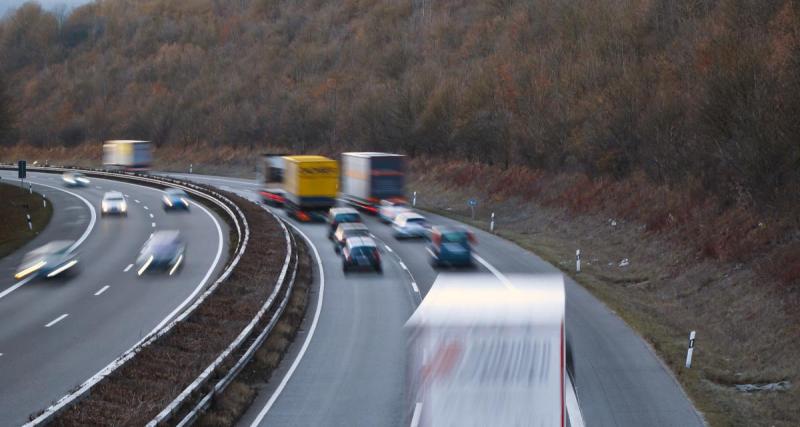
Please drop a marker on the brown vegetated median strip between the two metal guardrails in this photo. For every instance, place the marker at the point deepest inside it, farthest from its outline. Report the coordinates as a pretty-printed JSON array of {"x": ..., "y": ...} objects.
[{"x": 141, "y": 388}]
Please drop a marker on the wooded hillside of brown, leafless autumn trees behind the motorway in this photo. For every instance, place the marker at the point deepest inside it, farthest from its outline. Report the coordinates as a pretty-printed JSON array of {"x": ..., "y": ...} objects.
[{"x": 704, "y": 93}]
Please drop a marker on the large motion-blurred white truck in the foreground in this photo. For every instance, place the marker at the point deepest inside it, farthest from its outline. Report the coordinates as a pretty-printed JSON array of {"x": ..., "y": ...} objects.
[{"x": 488, "y": 352}]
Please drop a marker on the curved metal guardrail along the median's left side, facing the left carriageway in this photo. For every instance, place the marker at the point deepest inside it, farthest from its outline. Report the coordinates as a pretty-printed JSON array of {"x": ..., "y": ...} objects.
[{"x": 218, "y": 199}]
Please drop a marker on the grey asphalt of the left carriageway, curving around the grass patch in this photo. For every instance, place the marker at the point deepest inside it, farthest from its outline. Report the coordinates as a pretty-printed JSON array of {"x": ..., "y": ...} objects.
[{"x": 60, "y": 332}]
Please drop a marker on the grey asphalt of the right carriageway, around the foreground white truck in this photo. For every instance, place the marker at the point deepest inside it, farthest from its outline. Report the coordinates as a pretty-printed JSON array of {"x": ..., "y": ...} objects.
[{"x": 346, "y": 368}]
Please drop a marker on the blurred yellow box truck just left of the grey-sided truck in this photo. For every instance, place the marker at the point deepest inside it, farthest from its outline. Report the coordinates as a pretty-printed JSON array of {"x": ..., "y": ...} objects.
[{"x": 310, "y": 186}]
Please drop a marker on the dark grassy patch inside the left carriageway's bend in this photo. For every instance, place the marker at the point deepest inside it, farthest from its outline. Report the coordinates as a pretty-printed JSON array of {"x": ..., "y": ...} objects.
[{"x": 16, "y": 204}]
